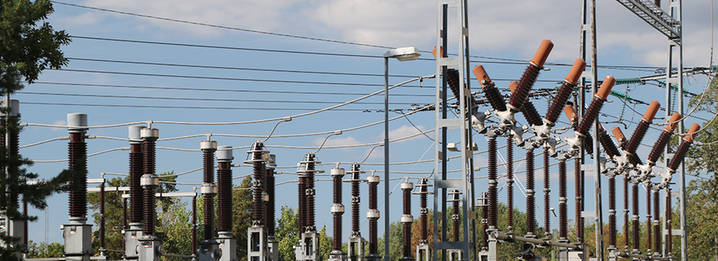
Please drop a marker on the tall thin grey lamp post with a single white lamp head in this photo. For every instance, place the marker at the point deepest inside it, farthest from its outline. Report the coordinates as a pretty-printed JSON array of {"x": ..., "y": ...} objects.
[{"x": 401, "y": 54}]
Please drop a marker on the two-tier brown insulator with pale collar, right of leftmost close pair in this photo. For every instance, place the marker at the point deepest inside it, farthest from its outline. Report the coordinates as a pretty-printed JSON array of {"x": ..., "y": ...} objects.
[{"x": 149, "y": 191}]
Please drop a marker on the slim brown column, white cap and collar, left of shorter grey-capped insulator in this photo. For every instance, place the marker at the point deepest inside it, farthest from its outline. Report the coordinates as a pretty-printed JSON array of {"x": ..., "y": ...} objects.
[{"x": 209, "y": 189}]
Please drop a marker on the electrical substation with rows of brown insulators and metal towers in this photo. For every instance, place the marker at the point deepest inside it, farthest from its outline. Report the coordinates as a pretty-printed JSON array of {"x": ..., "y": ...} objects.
[{"x": 463, "y": 223}]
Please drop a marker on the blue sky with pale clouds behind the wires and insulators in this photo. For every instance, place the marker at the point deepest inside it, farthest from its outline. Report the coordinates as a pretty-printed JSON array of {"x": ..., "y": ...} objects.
[{"x": 228, "y": 92}]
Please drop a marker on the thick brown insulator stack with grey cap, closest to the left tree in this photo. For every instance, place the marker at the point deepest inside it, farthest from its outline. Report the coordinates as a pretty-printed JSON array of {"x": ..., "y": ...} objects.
[{"x": 77, "y": 150}]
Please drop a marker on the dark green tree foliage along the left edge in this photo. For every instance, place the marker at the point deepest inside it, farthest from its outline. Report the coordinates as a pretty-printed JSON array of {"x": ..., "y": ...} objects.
[{"x": 27, "y": 47}]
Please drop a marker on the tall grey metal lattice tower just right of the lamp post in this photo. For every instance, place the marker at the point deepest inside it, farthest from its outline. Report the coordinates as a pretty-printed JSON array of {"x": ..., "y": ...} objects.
[{"x": 462, "y": 123}]
